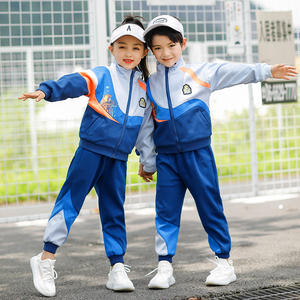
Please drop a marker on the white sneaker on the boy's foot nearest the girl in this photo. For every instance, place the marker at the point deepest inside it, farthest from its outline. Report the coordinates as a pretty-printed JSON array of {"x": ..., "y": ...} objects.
[{"x": 164, "y": 277}]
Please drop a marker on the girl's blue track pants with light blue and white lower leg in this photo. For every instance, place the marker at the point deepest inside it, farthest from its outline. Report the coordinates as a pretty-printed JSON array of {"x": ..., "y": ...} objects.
[{"x": 108, "y": 176}]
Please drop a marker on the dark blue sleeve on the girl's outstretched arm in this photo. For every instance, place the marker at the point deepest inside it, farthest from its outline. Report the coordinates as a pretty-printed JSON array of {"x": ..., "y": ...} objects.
[{"x": 68, "y": 86}]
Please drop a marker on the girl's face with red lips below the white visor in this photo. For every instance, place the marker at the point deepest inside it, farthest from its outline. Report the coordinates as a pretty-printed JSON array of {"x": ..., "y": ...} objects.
[{"x": 128, "y": 51}]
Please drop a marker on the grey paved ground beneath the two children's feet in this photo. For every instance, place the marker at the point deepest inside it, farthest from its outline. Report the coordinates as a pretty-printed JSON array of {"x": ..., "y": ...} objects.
[{"x": 265, "y": 250}]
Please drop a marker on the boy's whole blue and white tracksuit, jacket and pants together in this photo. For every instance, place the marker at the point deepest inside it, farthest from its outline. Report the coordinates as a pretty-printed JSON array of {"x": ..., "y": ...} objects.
[{"x": 180, "y": 99}]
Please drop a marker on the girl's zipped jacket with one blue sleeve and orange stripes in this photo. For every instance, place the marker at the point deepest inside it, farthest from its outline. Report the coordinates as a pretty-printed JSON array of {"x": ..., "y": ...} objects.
[{"x": 116, "y": 110}]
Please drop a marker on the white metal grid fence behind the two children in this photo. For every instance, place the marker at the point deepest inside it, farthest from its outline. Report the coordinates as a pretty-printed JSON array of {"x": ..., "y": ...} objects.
[{"x": 256, "y": 147}]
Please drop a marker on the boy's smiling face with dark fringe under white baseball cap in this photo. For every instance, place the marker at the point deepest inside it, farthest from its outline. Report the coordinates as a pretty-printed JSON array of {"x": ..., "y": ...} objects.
[{"x": 165, "y": 51}]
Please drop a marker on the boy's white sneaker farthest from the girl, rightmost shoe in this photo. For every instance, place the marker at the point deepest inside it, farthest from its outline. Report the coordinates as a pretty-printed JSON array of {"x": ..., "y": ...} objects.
[{"x": 222, "y": 274}]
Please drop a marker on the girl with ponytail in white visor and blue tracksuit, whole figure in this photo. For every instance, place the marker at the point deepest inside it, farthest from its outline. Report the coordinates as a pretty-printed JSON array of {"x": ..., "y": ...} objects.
[{"x": 117, "y": 118}]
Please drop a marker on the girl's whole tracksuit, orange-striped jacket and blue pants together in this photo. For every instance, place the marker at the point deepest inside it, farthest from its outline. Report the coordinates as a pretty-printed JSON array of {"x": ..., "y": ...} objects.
[{"x": 117, "y": 118}]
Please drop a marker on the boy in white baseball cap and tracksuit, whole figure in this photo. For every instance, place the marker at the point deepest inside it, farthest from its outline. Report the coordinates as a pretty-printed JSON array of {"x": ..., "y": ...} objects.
[{"x": 179, "y": 94}]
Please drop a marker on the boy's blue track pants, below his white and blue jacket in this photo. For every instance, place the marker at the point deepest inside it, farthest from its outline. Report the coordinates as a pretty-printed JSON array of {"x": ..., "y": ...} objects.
[{"x": 195, "y": 170}]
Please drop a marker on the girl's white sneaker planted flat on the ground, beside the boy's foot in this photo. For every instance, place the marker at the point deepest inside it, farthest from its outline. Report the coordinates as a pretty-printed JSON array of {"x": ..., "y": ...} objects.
[{"x": 118, "y": 279}]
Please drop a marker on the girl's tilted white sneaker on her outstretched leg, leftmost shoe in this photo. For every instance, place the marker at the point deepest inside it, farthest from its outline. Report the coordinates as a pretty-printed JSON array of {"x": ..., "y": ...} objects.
[{"x": 43, "y": 275}]
